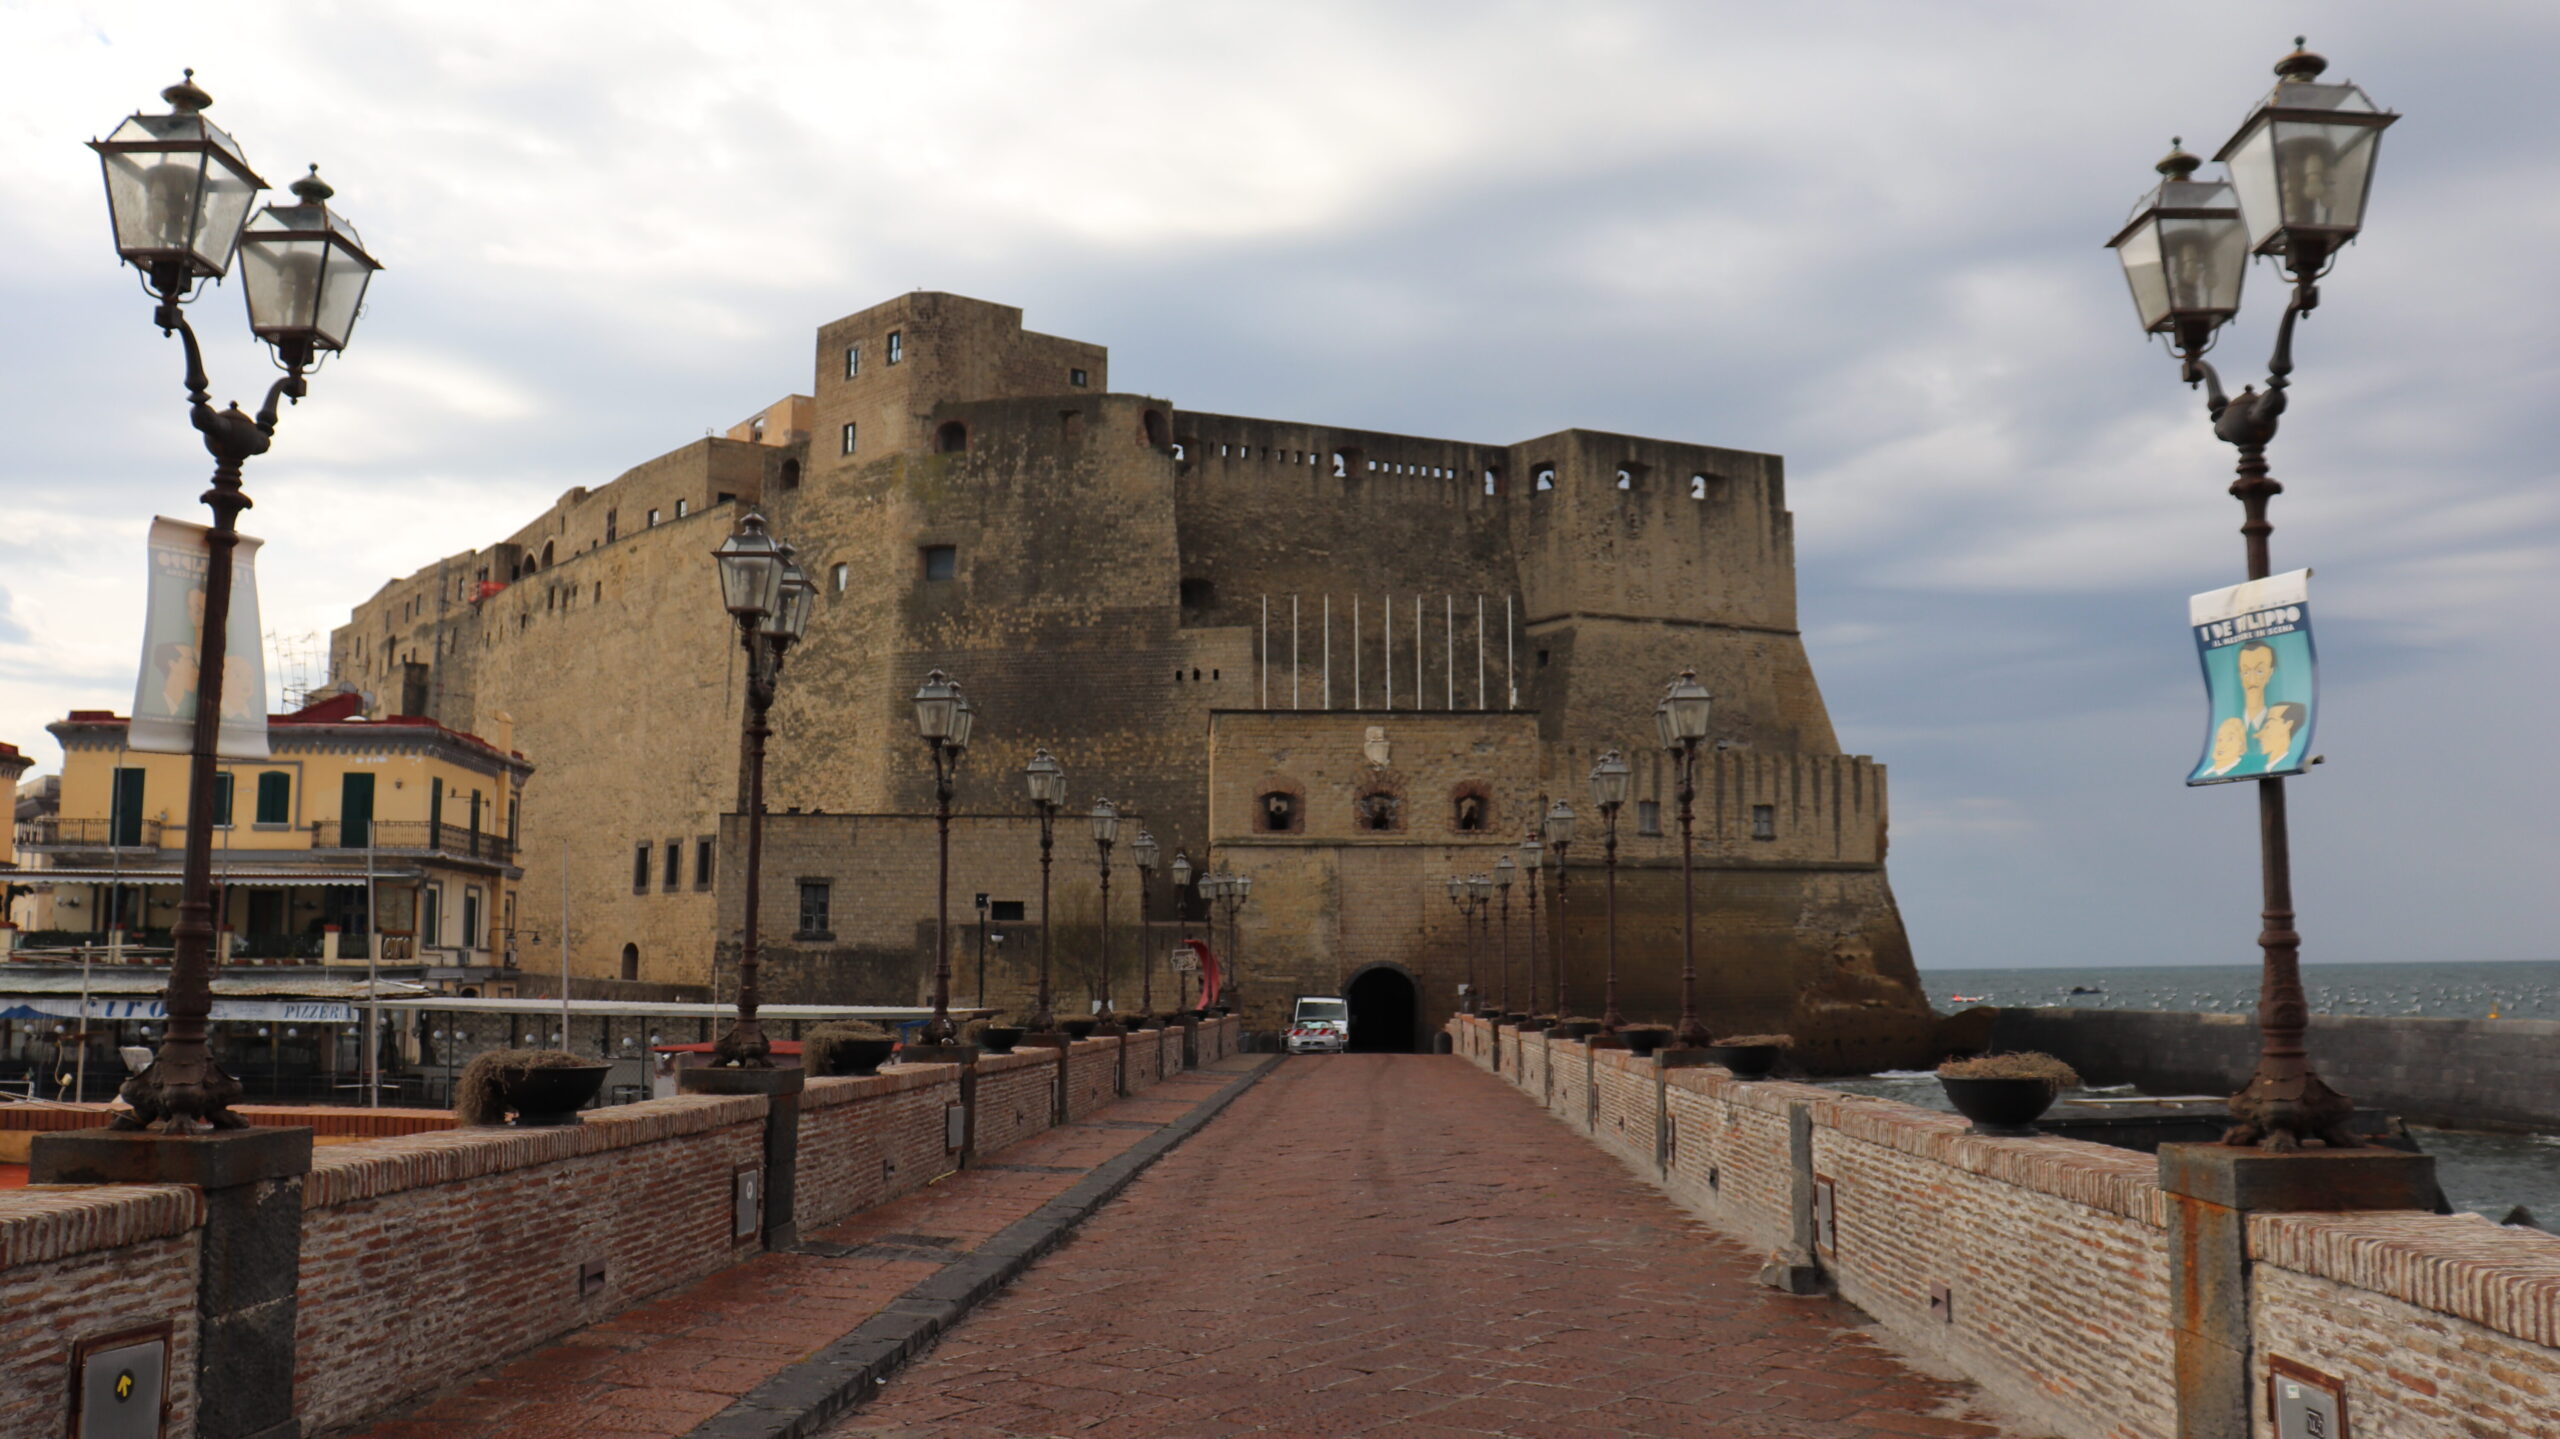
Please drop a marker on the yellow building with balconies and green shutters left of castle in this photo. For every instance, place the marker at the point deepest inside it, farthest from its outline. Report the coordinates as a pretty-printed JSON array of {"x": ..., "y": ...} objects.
[{"x": 406, "y": 810}]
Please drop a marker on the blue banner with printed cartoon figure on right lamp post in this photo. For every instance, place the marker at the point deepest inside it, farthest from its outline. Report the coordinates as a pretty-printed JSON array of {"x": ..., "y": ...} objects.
[{"x": 2262, "y": 677}]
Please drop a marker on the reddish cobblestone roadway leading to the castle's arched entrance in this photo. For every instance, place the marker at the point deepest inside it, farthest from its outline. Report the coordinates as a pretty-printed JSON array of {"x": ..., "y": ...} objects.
[{"x": 1399, "y": 1246}]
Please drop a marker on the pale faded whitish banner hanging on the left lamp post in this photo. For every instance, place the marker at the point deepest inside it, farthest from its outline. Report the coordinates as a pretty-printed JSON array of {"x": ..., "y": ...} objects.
[{"x": 173, "y": 634}]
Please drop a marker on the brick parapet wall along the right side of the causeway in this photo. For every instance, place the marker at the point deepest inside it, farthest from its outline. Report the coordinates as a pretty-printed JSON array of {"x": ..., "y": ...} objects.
[{"x": 2057, "y": 1258}]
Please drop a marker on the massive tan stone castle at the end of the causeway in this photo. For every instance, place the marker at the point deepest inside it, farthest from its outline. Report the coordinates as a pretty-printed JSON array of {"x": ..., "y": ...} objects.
[{"x": 1110, "y": 577}]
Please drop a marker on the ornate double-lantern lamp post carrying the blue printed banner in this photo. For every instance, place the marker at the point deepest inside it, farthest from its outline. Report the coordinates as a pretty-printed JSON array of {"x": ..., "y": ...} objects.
[{"x": 2300, "y": 173}]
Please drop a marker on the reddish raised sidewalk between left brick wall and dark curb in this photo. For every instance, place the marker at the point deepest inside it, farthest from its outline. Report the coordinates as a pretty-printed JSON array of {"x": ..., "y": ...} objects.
[{"x": 667, "y": 1366}]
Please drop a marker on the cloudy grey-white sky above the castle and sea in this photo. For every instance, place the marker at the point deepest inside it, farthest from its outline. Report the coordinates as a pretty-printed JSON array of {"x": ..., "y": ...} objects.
[{"x": 1857, "y": 234}]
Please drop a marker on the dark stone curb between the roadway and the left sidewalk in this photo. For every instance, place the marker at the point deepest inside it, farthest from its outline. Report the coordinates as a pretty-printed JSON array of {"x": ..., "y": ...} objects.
[{"x": 826, "y": 1387}]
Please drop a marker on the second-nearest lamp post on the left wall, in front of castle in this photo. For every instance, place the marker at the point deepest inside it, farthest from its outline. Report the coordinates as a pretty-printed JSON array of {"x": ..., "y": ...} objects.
[{"x": 769, "y": 598}]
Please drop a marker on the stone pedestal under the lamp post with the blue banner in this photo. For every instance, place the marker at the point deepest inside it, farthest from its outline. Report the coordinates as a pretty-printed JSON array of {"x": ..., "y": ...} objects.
[{"x": 2213, "y": 1189}]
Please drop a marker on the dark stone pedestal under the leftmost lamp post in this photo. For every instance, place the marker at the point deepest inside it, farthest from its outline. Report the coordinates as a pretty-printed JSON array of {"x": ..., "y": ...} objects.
[{"x": 252, "y": 1256}]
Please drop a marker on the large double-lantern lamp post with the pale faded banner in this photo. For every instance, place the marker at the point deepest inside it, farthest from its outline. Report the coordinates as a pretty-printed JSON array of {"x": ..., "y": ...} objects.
[{"x": 178, "y": 196}]
